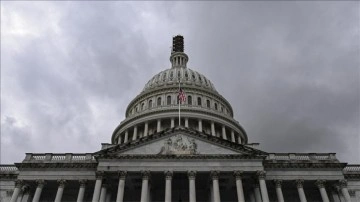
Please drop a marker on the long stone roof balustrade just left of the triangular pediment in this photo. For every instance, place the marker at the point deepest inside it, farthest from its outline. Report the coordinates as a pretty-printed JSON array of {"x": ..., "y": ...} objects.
[{"x": 67, "y": 157}]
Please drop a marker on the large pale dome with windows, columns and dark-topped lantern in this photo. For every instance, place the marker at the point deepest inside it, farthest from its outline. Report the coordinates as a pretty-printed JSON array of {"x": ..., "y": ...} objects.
[{"x": 156, "y": 108}]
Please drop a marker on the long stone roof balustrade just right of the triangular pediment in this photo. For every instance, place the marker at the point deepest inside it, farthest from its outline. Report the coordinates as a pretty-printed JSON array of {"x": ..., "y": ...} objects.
[{"x": 301, "y": 156}]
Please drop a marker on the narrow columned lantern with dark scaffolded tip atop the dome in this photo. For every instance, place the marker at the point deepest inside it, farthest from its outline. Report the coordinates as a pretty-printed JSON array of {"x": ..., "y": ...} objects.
[{"x": 178, "y": 58}]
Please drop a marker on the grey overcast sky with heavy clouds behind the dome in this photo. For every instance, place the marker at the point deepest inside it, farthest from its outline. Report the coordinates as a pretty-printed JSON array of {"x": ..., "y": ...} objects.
[{"x": 289, "y": 69}]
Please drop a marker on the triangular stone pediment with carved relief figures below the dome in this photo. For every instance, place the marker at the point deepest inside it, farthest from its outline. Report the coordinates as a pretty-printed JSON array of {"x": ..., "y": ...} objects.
[{"x": 179, "y": 142}]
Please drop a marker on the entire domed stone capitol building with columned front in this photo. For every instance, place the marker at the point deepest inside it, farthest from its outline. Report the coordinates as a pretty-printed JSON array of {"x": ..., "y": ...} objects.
[{"x": 204, "y": 156}]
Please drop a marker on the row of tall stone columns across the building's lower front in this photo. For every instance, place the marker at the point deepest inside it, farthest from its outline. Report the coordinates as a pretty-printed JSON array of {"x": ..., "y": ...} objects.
[{"x": 100, "y": 189}]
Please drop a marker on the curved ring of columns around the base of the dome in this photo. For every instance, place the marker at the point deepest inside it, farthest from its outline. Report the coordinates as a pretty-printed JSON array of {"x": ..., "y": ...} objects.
[{"x": 226, "y": 132}]
